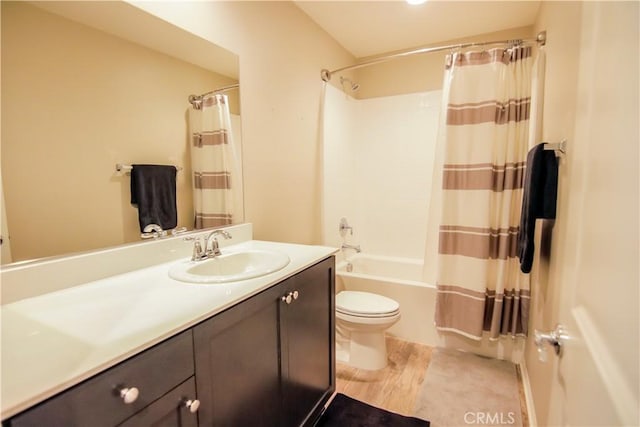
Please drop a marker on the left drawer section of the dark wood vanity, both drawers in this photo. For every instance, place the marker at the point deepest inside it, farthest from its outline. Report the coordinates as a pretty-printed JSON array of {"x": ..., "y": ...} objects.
[{"x": 161, "y": 378}]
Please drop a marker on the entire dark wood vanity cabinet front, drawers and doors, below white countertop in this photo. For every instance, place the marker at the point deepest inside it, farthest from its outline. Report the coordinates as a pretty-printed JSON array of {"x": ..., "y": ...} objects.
[{"x": 267, "y": 361}]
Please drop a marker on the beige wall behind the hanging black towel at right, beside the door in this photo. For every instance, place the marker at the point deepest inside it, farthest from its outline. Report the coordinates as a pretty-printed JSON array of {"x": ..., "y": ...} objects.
[{"x": 563, "y": 25}]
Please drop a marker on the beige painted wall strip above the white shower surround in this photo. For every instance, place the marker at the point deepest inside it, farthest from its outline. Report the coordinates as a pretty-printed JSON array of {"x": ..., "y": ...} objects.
[{"x": 418, "y": 73}]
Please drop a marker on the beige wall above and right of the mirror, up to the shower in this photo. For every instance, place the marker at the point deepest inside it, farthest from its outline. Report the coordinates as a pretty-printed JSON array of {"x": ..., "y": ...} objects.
[{"x": 281, "y": 54}]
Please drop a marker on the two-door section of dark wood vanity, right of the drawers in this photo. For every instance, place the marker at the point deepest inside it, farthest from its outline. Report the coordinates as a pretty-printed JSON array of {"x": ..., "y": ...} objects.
[{"x": 270, "y": 360}]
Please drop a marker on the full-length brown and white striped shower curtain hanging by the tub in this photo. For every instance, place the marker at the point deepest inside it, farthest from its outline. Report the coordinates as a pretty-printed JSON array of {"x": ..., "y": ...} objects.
[{"x": 479, "y": 283}]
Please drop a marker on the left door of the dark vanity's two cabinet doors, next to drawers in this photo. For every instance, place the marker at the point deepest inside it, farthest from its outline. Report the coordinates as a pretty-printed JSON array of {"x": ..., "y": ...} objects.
[{"x": 237, "y": 364}]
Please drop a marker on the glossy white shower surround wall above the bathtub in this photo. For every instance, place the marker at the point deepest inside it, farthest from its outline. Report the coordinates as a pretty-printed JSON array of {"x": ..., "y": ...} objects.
[{"x": 378, "y": 163}]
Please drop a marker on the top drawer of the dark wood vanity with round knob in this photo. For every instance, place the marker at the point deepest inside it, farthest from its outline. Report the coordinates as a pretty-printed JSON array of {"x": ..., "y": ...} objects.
[{"x": 97, "y": 402}]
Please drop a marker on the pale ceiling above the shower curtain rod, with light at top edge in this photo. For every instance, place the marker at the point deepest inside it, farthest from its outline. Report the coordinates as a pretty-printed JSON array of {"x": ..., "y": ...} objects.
[{"x": 367, "y": 28}]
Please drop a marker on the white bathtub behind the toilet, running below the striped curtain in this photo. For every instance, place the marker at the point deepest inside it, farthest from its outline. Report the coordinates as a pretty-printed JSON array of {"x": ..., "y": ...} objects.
[{"x": 401, "y": 279}]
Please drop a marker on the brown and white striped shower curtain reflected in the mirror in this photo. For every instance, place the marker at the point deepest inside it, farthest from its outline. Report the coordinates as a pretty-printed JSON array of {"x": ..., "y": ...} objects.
[{"x": 213, "y": 162}]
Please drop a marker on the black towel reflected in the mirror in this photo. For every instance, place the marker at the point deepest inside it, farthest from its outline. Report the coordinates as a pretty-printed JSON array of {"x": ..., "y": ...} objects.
[{"x": 153, "y": 189}]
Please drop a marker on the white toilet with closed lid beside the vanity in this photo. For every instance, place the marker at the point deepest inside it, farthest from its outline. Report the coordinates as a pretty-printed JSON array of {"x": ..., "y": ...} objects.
[{"x": 361, "y": 320}]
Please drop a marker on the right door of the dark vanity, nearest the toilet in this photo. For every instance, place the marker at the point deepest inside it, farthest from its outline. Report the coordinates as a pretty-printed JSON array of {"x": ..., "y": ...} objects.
[{"x": 308, "y": 344}]
